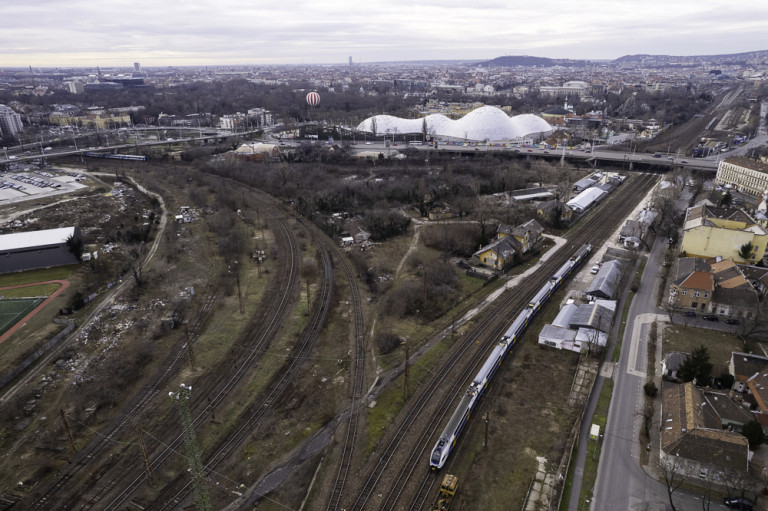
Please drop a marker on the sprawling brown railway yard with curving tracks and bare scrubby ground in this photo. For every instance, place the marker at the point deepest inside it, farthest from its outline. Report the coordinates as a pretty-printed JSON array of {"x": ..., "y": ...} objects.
[{"x": 269, "y": 321}]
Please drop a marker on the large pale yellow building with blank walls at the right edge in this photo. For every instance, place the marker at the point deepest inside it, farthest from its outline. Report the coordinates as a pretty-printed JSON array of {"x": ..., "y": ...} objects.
[{"x": 710, "y": 232}]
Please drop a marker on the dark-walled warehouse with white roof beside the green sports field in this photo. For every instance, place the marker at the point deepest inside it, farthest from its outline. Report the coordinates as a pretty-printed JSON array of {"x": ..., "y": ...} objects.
[{"x": 37, "y": 249}]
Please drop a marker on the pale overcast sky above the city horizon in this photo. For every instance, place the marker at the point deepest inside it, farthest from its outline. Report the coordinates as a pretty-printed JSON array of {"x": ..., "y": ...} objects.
[{"x": 72, "y": 33}]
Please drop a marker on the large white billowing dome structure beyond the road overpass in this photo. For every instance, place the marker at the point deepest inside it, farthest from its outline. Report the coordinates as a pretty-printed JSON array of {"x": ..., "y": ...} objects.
[{"x": 486, "y": 123}]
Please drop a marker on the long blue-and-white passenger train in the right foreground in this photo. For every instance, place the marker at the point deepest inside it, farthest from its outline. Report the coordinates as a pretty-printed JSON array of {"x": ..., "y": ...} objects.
[{"x": 459, "y": 419}]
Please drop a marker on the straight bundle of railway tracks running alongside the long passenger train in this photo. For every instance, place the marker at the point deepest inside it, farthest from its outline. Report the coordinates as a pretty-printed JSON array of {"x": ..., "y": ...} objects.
[{"x": 410, "y": 439}]
